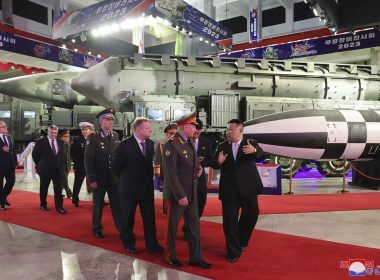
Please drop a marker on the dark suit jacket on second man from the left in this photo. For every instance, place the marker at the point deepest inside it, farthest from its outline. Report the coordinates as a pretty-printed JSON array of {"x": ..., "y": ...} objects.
[{"x": 46, "y": 161}]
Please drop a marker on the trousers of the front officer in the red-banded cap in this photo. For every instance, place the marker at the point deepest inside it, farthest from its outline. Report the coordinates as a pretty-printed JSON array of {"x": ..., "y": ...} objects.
[{"x": 190, "y": 214}]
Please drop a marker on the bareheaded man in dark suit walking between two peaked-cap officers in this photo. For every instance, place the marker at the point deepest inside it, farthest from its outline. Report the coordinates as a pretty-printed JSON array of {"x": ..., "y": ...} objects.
[{"x": 133, "y": 164}]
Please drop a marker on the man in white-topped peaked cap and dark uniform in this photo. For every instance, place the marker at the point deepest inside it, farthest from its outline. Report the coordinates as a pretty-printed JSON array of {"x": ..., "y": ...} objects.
[{"x": 77, "y": 155}]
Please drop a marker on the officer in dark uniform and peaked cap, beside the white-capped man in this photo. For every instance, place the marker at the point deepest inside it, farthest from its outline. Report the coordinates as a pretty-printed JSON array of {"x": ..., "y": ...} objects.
[{"x": 98, "y": 157}]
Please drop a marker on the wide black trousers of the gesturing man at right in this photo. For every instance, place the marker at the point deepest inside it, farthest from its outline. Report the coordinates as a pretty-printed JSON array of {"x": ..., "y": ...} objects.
[{"x": 238, "y": 231}]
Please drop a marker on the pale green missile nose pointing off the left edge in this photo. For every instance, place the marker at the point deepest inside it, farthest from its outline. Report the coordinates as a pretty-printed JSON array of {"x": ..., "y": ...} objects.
[{"x": 49, "y": 88}]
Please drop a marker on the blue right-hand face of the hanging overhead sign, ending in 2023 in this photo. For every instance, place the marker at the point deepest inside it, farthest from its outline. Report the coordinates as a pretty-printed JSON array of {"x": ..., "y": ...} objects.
[{"x": 192, "y": 20}]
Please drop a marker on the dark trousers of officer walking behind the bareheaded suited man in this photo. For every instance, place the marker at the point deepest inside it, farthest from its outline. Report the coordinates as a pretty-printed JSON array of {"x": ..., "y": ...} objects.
[{"x": 98, "y": 204}]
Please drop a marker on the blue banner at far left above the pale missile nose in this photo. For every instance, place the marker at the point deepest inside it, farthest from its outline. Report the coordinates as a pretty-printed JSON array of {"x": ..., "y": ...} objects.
[{"x": 21, "y": 45}]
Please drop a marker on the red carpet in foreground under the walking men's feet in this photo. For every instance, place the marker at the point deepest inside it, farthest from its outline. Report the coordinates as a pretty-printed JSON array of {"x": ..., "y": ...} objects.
[{"x": 269, "y": 256}]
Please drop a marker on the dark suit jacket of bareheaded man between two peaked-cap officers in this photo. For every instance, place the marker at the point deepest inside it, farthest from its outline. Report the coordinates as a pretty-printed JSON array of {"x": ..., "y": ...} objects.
[{"x": 135, "y": 170}]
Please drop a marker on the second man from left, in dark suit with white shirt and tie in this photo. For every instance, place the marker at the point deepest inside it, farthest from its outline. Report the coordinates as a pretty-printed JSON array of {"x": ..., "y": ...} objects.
[{"x": 49, "y": 159}]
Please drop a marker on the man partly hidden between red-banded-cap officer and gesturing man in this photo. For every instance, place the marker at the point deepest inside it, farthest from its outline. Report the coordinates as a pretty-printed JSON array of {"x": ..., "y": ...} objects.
[{"x": 204, "y": 151}]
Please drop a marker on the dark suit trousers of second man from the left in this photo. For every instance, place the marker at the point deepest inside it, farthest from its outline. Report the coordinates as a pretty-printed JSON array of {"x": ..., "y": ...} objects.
[{"x": 45, "y": 179}]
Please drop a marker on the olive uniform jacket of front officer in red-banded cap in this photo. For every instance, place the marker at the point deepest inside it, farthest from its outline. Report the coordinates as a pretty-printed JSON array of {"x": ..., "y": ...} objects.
[{"x": 180, "y": 166}]
